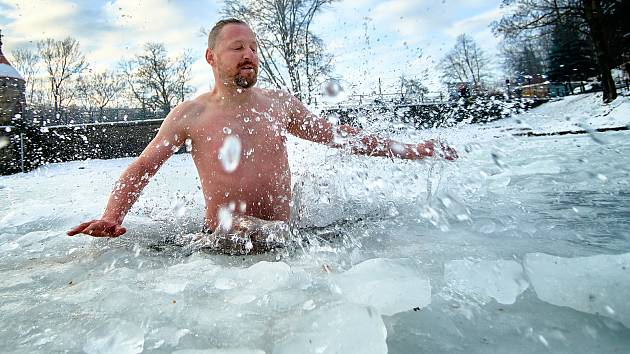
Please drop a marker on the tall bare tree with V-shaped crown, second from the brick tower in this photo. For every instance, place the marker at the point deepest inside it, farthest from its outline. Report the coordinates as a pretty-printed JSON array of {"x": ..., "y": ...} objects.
[{"x": 62, "y": 60}]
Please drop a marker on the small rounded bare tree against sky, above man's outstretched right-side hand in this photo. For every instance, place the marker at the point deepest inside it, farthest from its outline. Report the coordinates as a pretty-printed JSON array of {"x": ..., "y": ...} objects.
[{"x": 466, "y": 62}]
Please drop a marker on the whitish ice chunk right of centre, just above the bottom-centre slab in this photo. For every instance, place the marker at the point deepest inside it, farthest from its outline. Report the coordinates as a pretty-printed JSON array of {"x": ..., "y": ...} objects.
[{"x": 389, "y": 285}]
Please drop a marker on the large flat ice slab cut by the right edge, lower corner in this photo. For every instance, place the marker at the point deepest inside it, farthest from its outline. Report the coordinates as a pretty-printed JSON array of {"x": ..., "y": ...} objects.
[{"x": 596, "y": 284}]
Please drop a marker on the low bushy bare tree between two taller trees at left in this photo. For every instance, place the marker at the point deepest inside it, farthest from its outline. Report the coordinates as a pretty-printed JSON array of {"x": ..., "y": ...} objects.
[{"x": 99, "y": 89}]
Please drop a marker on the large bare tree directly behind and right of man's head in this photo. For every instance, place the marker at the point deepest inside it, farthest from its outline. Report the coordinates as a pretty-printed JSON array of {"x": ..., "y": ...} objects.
[{"x": 291, "y": 55}]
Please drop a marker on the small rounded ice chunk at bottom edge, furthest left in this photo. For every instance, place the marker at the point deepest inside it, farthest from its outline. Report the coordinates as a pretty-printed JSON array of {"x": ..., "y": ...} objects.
[{"x": 115, "y": 336}]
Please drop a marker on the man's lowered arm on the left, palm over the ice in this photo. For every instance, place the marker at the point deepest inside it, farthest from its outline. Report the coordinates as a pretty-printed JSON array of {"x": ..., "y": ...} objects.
[{"x": 128, "y": 187}]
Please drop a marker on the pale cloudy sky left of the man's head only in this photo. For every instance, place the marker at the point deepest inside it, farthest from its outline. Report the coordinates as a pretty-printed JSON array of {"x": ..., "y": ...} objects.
[{"x": 112, "y": 30}]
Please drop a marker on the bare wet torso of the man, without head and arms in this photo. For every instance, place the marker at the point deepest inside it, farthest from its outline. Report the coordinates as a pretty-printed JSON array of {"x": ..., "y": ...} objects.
[{"x": 260, "y": 184}]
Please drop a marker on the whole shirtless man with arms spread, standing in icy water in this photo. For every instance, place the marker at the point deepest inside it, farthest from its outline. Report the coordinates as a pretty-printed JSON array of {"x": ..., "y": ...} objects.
[{"x": 260, "y": 184}]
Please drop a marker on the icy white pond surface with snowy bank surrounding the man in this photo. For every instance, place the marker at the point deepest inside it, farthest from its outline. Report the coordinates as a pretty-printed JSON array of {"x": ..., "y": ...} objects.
[{"x": 520, "y": 246}]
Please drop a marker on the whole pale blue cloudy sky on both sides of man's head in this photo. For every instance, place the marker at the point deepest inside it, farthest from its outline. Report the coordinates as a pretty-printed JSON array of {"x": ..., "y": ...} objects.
[{"x": 369, "y": 39}]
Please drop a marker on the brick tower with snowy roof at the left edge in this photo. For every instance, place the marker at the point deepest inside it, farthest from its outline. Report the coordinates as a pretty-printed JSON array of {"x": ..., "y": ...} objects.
[{"x": 12, "y": 88}]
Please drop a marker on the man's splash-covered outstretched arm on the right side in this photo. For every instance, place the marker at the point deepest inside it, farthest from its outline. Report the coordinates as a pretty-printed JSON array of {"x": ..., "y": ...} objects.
[{"x": 308, "y": 126}]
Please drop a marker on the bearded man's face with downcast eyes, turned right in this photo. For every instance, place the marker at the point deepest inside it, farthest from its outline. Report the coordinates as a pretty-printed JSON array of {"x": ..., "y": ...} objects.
[{"x": 236, "y": 56}]
